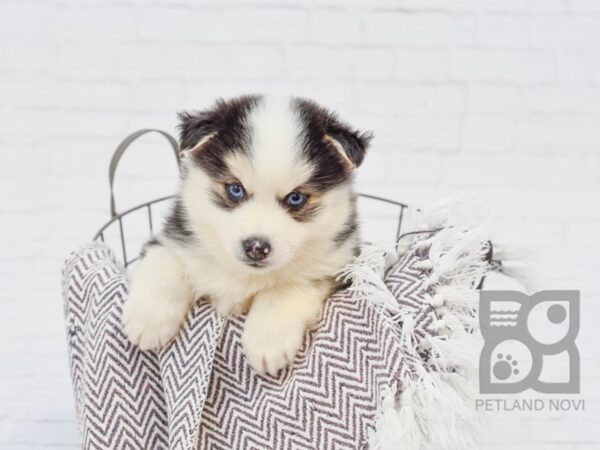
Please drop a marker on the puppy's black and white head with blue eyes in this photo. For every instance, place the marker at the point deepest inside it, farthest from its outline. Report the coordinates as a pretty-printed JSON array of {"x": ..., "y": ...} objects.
[{"x": 267, "y": 181}]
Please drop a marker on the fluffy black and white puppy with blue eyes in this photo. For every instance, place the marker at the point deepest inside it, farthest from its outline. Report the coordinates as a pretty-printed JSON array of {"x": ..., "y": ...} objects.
[{"x": 264, "y": 218}]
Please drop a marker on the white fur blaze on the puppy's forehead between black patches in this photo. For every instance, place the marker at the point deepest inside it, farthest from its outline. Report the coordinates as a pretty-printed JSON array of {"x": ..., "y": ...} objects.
[{"x": 275, "y": 135}]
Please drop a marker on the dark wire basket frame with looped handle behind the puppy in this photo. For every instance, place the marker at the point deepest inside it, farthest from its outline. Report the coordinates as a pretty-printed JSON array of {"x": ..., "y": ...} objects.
[{"x": 116, "y": 219}]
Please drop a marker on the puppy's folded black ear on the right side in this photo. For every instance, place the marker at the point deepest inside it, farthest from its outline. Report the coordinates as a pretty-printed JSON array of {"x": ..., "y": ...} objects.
[{"x": 351, "y": 144}]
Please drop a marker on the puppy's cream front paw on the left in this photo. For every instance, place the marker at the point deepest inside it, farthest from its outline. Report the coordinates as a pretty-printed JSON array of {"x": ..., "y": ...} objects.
[{"x": 150, "y": 324}]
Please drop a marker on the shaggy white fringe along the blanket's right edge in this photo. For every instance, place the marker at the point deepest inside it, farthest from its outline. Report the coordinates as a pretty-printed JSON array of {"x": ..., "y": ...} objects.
[{"x": 436, "y": 408}]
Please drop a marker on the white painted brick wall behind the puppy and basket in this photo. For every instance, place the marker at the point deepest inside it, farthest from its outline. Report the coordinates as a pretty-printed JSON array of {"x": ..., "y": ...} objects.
[{"x": 495, "y": 97}]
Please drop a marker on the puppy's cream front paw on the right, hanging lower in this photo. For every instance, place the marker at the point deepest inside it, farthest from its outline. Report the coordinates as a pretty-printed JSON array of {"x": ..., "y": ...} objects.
[{"x": 271, "y": 346}]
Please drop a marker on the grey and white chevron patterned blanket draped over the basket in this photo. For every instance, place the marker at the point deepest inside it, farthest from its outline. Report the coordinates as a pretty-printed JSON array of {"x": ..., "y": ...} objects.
[{"x": 198, "y": 392}]
